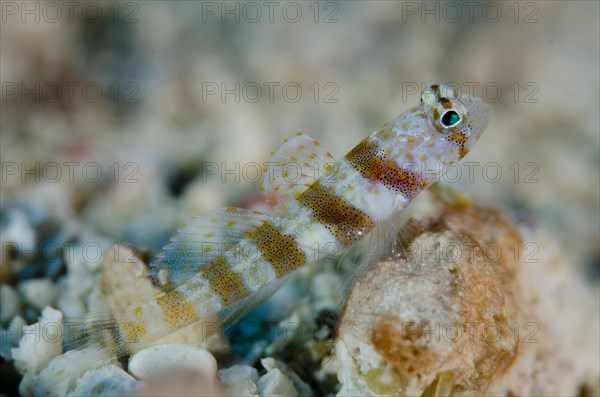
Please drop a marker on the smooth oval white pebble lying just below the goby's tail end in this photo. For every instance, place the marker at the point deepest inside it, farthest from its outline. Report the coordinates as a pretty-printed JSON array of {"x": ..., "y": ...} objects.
[{"x": 164, "y": 359}]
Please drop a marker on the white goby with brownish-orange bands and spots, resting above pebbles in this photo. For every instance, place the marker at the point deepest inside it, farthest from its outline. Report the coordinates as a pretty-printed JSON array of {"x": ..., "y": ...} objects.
[{"x": 225, "y": 261}]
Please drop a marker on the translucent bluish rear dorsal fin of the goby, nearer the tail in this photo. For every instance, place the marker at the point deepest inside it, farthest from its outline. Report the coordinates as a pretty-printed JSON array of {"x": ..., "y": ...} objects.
[{"x": 202, "y": 241}]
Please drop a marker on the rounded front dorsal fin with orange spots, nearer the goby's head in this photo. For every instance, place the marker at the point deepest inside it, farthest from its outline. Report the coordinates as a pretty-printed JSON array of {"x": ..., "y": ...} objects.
[{"x": 298, "y": 163}]
